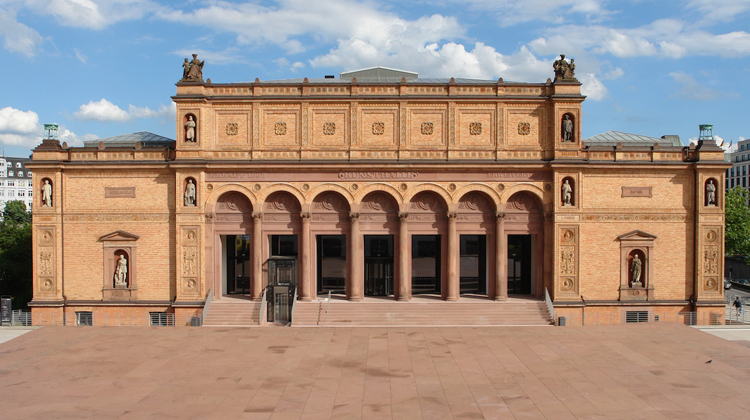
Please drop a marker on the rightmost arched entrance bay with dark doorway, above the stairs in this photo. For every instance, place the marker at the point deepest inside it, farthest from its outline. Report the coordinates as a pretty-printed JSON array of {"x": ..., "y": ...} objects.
[{"x": 524, "y": 244}]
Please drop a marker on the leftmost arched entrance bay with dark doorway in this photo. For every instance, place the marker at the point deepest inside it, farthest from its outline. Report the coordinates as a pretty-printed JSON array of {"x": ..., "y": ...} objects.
[{"x": 233, "y": 232}]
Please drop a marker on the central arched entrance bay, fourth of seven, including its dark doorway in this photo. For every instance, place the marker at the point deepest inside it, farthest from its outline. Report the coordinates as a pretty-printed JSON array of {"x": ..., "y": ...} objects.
[{"x": 379, "y": 225}]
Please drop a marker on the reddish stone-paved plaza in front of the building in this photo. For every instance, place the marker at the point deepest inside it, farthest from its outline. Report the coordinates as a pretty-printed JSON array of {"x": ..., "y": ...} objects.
[{"x": 647, "y": 371}]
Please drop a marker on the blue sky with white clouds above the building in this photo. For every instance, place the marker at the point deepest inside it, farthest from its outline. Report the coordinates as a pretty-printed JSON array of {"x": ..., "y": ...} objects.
[{"x": 103, "y": 68}]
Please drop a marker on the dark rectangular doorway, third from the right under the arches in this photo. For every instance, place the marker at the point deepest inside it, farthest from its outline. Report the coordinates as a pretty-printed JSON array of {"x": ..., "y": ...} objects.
[{"x": 425, "y": 264}]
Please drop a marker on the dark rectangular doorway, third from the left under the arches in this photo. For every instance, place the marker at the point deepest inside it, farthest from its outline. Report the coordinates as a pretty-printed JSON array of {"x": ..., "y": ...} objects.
[{"x": 331, "y": 263}]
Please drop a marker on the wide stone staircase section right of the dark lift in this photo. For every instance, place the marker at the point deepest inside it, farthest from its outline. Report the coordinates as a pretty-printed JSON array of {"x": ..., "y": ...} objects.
[{"x": 473, "y": 312}]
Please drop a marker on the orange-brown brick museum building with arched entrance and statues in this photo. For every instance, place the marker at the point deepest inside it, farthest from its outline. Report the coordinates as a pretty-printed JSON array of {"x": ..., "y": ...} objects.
[{"x": 378, "y": 184}]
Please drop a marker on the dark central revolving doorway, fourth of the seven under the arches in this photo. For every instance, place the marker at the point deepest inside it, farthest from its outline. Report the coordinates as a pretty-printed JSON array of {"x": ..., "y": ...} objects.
[{"x": 378, "y": 265}]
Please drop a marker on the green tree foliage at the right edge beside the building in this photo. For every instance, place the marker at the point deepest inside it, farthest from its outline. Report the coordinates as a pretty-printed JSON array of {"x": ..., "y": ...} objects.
[{"x": 737, "y": 235}]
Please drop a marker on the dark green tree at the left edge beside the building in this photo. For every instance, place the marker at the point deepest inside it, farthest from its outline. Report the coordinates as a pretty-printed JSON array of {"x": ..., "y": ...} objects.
[{"x": 15, "y": 254}]
